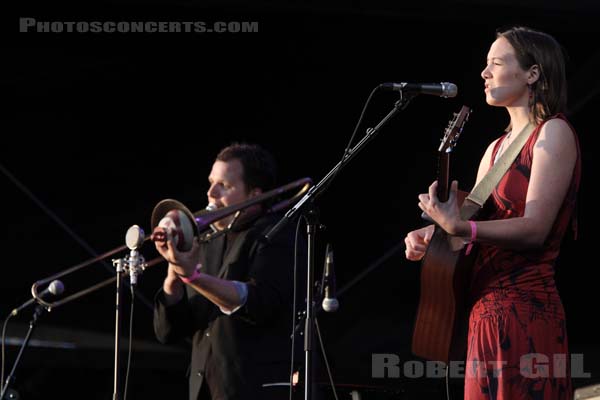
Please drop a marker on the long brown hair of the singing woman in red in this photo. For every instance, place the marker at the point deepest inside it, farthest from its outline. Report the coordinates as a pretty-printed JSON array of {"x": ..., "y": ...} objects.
[{"x": 549, "y": 92}]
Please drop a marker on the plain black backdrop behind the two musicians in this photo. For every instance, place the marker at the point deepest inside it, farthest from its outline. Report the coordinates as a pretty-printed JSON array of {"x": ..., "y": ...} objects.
[{"x": 98, "y": 128}]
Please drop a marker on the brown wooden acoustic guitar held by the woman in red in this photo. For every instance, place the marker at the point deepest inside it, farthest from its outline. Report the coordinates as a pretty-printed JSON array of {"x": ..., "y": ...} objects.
[{"x": 440, "y": 331}]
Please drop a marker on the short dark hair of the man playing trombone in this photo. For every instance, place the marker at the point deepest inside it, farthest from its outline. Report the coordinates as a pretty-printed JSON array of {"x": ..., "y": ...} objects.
[{"x": 260, "y": 170}]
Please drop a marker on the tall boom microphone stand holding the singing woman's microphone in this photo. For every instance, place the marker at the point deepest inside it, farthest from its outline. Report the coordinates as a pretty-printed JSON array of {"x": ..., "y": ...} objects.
[{"x": 312, "y": 223}]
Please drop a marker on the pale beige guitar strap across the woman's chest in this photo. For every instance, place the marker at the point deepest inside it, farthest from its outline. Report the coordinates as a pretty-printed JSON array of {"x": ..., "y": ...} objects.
[{"x": 484, "y": 188}]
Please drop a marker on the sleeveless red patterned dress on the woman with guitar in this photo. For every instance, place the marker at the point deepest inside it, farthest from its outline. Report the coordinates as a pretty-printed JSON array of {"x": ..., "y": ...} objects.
[{"x": 517, "y": 346}]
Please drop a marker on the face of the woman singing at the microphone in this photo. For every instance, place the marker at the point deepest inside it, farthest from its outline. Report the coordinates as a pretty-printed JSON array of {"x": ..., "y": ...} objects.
[{"x": 505, "y": 81}]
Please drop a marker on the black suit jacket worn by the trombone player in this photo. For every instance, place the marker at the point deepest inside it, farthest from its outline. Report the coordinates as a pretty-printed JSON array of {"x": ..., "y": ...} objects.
[{"x": 236, "y": 354}]
